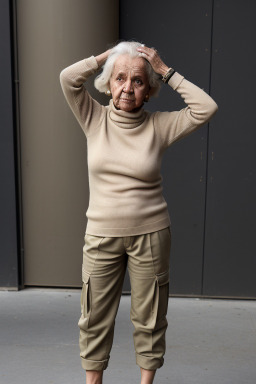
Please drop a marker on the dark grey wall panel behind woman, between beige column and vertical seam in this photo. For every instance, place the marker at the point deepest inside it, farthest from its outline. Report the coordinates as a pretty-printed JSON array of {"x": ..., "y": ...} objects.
[{"x": 181, "y": 32}]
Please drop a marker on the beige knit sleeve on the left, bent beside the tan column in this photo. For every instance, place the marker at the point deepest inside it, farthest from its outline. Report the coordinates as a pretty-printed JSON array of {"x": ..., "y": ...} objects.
[{"x": 87, "y": 111}]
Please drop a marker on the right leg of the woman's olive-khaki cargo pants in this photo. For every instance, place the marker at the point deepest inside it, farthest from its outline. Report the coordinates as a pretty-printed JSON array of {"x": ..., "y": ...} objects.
[{"x": 148, "y": 264}]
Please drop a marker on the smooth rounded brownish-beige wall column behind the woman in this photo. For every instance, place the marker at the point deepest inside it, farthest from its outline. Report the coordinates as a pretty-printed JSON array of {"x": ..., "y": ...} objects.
[{"x": 51, "y": 36}]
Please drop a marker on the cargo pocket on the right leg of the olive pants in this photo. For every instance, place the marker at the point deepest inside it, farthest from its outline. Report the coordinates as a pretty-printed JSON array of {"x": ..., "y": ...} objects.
[{"x": 160, "y": 302}]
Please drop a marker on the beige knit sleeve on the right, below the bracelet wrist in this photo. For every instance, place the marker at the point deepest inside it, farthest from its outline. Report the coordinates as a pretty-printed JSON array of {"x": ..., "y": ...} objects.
[{"x": 173, "y": 126}]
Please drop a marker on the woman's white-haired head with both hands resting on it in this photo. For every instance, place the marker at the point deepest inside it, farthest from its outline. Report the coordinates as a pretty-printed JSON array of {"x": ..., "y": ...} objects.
[{"x": 130, "y": 74}]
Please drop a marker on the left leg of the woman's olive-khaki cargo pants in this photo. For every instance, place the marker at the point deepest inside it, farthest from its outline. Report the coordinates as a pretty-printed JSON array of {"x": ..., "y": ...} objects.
[{"x": 104, "y": 264}]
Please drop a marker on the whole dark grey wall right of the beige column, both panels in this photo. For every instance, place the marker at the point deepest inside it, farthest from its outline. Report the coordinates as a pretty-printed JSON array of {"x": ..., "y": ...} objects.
[{"x": 209, "y": 177}]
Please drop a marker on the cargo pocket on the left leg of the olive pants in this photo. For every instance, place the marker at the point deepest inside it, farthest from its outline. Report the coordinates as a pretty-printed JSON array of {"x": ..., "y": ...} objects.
[{"x": 85, "y": 301}]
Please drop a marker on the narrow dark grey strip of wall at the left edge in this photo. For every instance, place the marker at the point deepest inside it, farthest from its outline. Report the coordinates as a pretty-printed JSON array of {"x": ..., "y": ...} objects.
[{"x": 8, "y": 229}]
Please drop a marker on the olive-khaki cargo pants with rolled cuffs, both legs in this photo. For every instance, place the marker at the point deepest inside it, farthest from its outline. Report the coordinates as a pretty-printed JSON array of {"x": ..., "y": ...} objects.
[{"x": 104, "y": 265}]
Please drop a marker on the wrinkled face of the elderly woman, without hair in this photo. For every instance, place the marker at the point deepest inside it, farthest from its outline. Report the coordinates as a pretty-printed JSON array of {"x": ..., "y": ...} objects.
[{"x": 129, "y": 83}]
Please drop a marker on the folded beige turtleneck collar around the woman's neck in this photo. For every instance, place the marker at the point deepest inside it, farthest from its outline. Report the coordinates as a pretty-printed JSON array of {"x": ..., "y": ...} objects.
[{"x": 126, "y": 119}]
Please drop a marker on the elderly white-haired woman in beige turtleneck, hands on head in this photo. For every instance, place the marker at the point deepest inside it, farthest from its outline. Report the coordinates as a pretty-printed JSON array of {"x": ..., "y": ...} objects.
[{"x": 128, "y": 220}]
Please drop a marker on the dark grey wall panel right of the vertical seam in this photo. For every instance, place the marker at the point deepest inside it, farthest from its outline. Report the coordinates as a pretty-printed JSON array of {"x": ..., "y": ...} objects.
[{"x": 230, "y": 252}]
